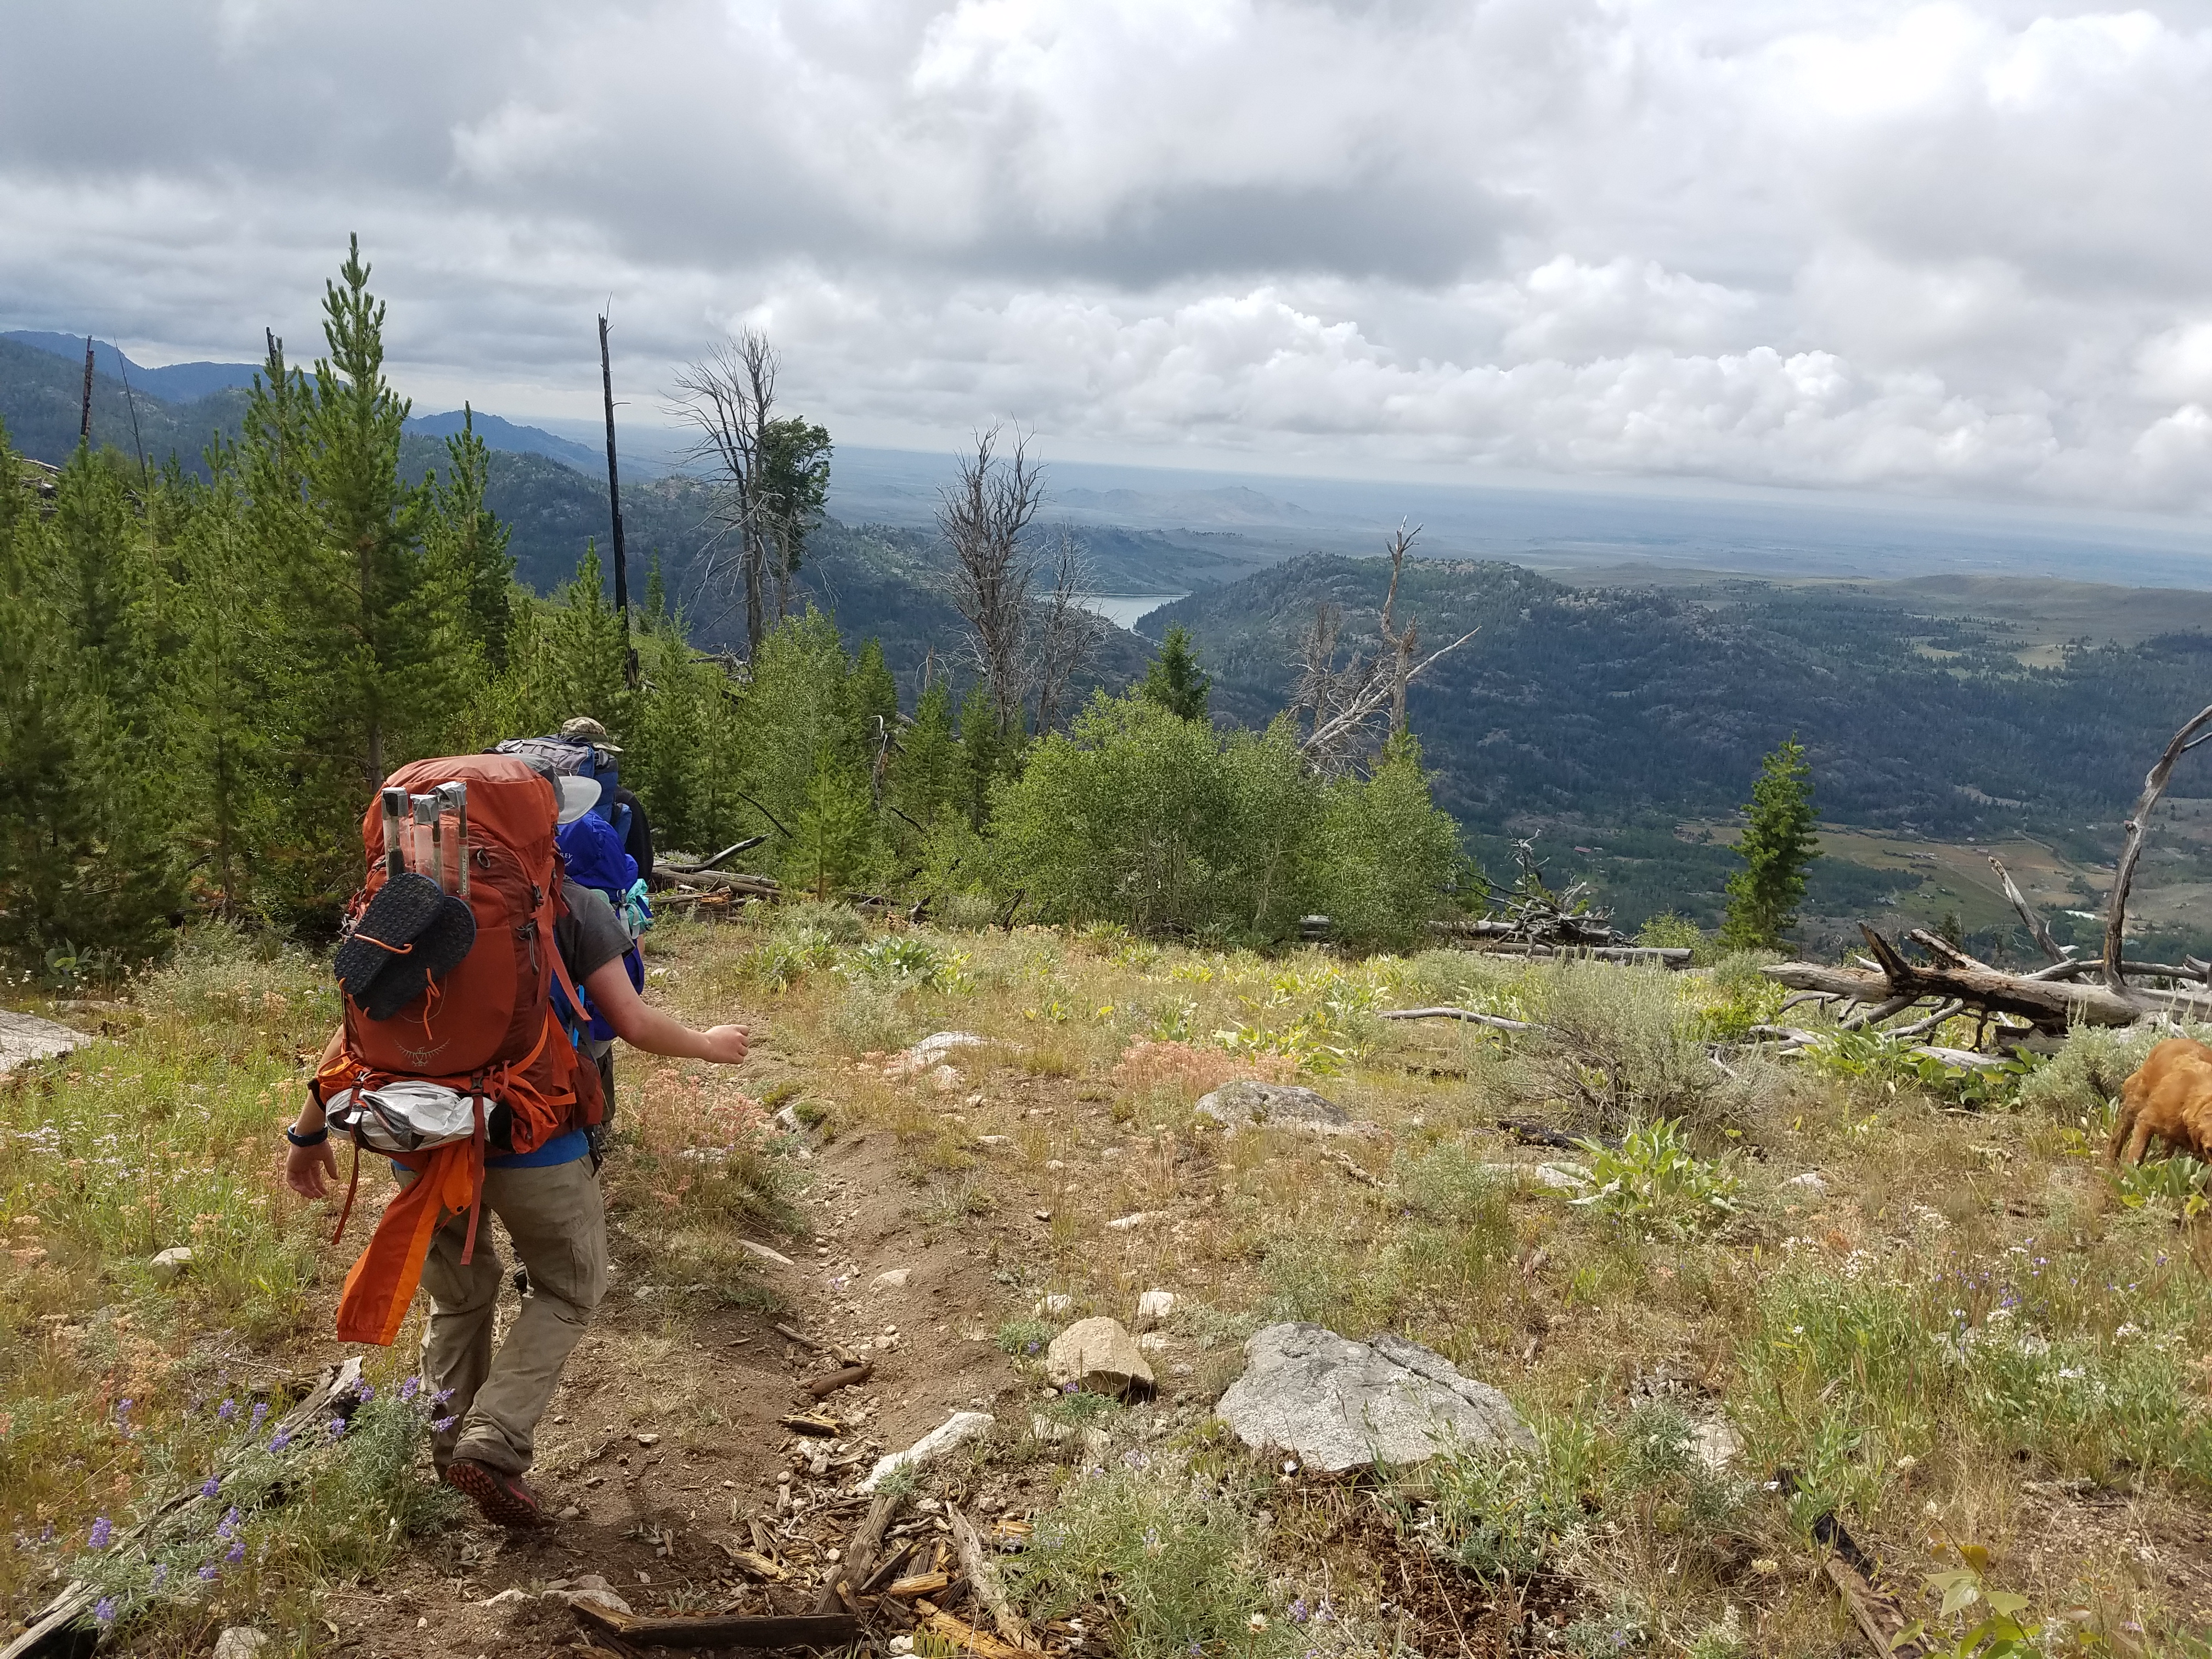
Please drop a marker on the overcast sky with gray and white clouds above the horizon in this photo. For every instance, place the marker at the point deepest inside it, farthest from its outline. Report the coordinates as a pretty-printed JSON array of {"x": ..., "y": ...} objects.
[{"x": 1921, "y": 249}]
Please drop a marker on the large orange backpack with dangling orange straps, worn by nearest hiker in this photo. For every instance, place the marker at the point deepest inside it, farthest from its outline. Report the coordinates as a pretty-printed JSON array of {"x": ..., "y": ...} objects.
[{"x": 499, "y": 1027}]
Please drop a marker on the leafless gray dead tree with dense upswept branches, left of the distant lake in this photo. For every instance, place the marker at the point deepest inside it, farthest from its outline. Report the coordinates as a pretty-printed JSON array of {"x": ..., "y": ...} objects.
[{"x": 985, "y": 519}]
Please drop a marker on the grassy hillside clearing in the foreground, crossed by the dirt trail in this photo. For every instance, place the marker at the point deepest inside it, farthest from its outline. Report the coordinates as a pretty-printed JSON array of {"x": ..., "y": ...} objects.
[{"x": 1844, "y": 1293}]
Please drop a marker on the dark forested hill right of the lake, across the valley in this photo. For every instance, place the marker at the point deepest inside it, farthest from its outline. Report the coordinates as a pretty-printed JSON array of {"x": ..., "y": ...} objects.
[{"x": 1611, "y": 705}]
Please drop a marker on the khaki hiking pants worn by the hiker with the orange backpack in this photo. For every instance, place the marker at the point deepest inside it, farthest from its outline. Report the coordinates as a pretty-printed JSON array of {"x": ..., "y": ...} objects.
[{"x": 559, "y": 1227}]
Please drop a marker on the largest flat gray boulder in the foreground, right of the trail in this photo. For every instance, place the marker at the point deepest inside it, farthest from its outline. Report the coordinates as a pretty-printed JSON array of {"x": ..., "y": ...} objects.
[{"x": 1342, "y": 1406}]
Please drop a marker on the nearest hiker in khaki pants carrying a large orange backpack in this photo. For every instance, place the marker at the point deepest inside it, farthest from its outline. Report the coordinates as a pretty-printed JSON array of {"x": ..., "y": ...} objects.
[{"x": 459, "y": 1061}]
